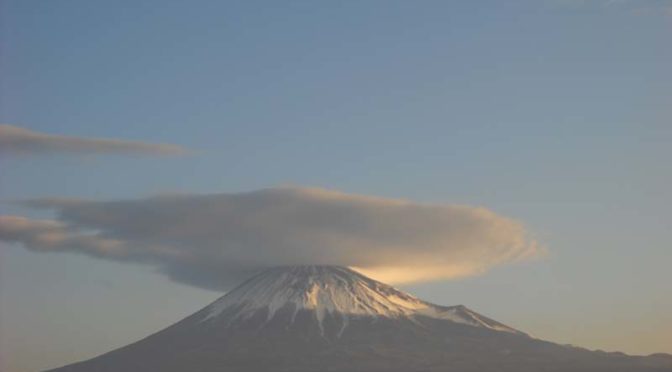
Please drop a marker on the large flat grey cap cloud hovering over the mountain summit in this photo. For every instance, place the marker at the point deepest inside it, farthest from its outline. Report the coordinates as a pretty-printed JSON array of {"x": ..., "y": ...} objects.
[{"x": 214, "y": 240}]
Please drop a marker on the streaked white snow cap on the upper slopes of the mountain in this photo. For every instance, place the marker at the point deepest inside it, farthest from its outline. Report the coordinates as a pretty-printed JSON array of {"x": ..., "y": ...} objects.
[{"x": 335, "y": 290}]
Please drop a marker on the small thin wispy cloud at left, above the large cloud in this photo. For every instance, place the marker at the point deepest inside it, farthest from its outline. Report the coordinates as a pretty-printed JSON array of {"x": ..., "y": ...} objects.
[{"x": 15, "y": 140}]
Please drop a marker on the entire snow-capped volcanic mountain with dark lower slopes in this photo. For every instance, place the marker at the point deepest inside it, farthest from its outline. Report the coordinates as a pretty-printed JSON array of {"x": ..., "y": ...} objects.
[{"x": 327, "y": 318}]
